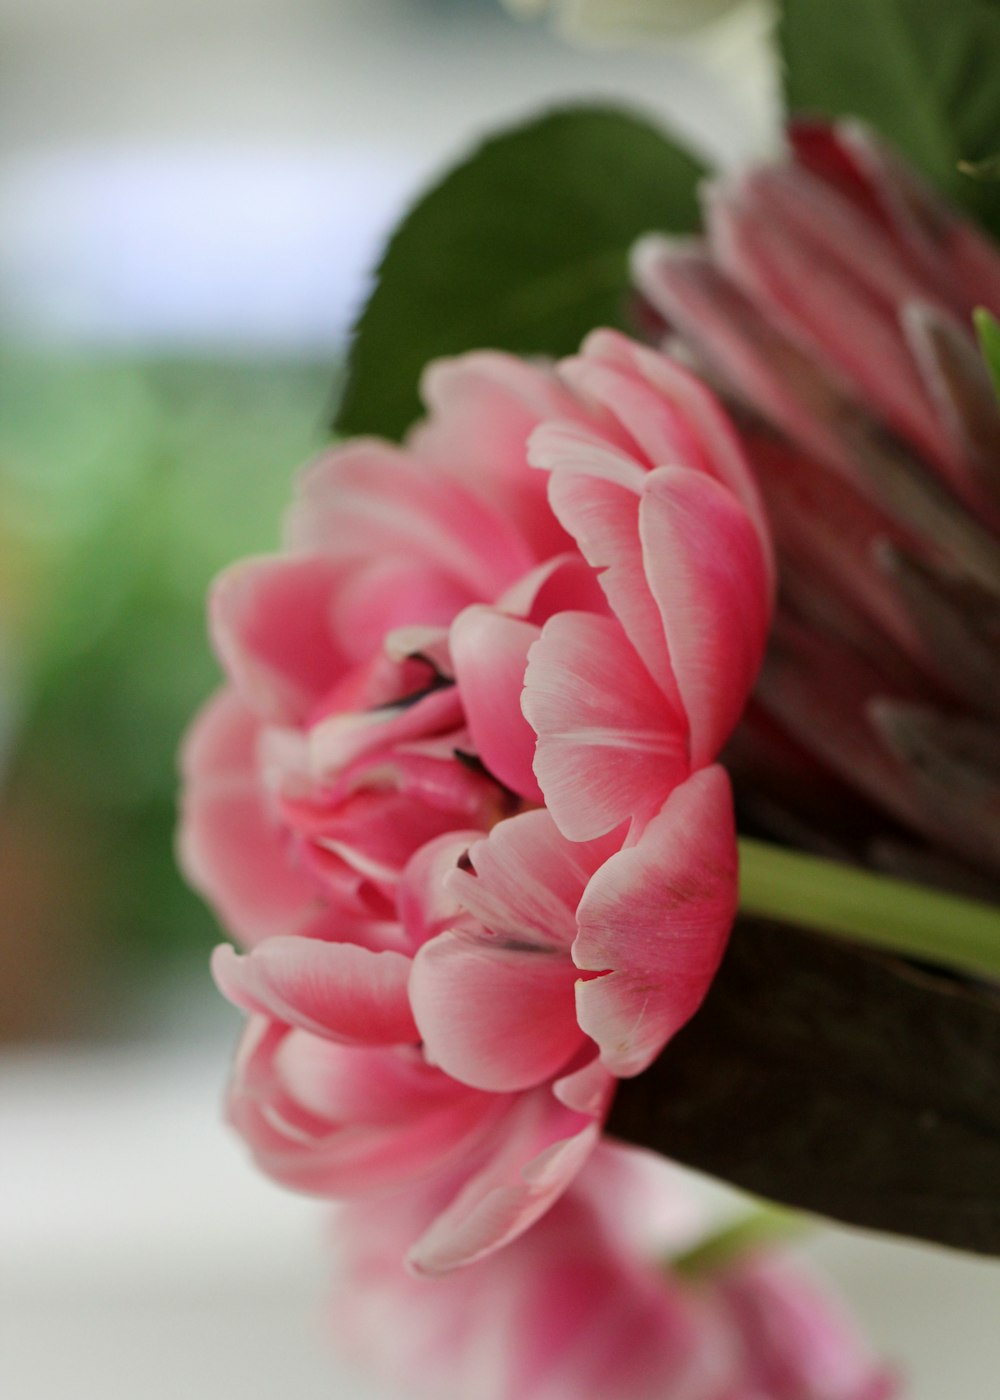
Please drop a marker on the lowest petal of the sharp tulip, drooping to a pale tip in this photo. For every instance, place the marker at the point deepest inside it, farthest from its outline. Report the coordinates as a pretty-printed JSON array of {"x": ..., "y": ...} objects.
[{"x": 544, "y": 1146}]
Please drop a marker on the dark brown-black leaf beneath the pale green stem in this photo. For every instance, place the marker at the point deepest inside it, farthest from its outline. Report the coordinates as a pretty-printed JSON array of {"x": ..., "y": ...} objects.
[{"x": 835, "y": 1081}]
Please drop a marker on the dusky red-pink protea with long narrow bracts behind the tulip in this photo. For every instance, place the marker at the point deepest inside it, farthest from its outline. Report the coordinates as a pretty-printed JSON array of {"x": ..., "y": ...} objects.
[{"x": 831, "y": 303}]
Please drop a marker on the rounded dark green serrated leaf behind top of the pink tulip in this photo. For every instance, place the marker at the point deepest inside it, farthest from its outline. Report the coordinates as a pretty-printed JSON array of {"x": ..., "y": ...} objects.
[{"x": 523, "y": 247}]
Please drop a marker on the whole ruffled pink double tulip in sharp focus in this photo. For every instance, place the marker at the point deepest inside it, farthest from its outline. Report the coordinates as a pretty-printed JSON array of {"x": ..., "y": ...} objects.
[{"x": 460, "y": 797}]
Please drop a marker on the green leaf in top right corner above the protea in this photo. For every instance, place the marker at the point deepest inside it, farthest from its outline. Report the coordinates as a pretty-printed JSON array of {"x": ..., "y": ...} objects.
[{"x": 921, "y": 72}]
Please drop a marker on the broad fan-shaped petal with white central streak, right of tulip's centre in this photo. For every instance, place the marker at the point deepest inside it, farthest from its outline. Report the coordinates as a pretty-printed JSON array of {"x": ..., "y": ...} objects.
[{"x": 610, "y": 745}]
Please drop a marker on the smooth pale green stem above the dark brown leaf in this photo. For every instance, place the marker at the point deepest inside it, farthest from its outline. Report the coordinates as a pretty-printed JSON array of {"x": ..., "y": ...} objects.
[{"x": 876, "y": 911}]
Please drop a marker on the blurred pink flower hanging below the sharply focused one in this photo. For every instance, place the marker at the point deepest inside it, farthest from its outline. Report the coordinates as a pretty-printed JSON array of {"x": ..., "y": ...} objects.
[{"x": 583, "y": 1310}]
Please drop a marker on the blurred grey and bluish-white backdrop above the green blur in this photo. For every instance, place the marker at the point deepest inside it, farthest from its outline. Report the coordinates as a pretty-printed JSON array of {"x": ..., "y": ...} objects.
[{"x": 221, "y": 171}]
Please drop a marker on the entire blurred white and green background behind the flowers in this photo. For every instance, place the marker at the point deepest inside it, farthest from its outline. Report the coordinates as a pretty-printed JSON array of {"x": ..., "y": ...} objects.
[{"x": 193, "y": 195}]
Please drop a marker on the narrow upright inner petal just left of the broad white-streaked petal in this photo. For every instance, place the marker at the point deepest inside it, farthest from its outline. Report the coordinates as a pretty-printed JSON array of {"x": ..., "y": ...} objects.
[{"x": 491, "y": 653}]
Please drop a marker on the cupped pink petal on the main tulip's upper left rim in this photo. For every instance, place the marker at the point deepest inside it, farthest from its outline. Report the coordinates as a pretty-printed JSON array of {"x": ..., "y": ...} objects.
[{"x": 272, "y": 626}]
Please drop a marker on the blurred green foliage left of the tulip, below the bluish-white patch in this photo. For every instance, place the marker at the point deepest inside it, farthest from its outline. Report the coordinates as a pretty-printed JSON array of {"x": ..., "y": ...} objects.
[{"x": 124, "y": 488}]
